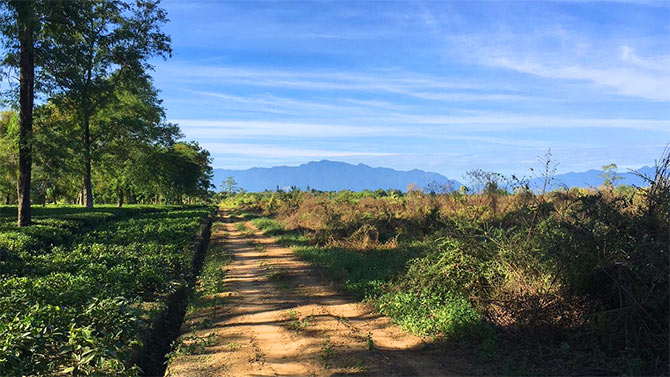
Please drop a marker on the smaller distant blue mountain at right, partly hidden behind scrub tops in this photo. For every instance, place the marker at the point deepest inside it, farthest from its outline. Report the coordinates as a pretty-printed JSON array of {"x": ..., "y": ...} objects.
[{"x": 592, "y": 178}]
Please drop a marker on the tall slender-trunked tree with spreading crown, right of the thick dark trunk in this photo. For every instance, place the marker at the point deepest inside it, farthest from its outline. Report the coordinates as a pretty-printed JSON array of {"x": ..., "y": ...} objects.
[{"x": 97, "y": 46}]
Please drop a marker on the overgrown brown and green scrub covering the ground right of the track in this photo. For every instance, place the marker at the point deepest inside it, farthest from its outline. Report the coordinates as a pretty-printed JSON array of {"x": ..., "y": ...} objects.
[{"x": 561, "y": 282}]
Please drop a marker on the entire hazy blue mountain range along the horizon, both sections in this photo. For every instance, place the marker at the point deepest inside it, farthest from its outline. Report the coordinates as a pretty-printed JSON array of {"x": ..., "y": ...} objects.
[{"x": 334, "y": 176}]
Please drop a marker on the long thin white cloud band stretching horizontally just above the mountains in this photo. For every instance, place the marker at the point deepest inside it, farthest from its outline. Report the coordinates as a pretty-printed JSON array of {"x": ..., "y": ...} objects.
[{"x": 417, "y": 126}]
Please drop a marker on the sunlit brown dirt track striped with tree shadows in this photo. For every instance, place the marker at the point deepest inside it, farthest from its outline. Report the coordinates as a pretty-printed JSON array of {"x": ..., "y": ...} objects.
[{"x": 278, "y": 317}]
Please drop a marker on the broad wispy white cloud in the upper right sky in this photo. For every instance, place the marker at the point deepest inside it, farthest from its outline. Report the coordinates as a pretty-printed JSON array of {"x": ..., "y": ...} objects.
[{"x": 557, "y": 53}]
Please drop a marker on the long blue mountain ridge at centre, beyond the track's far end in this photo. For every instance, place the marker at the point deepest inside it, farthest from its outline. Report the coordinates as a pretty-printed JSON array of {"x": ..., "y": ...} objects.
[{"x": 331, "y": 176}]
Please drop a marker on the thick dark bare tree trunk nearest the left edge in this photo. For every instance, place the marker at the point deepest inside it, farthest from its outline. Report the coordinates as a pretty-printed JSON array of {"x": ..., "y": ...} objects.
[{"x": 26, "y": 98}]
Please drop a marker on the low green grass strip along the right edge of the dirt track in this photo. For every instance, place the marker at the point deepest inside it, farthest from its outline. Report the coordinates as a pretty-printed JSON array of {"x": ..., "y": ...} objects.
[{"x": 376, "y": 274}]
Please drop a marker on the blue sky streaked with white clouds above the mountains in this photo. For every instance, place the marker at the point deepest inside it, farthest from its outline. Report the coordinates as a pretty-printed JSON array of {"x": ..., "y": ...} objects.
[{"x": 444, "y": 86}]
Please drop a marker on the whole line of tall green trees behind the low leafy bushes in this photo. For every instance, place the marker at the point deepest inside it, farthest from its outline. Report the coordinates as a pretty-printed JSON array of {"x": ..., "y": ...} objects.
[{"x": 98, "y": 128}]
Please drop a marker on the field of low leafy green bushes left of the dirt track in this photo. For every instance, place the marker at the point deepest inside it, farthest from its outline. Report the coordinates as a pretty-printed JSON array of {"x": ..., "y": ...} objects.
[{"x": 89, "y": 292}]
